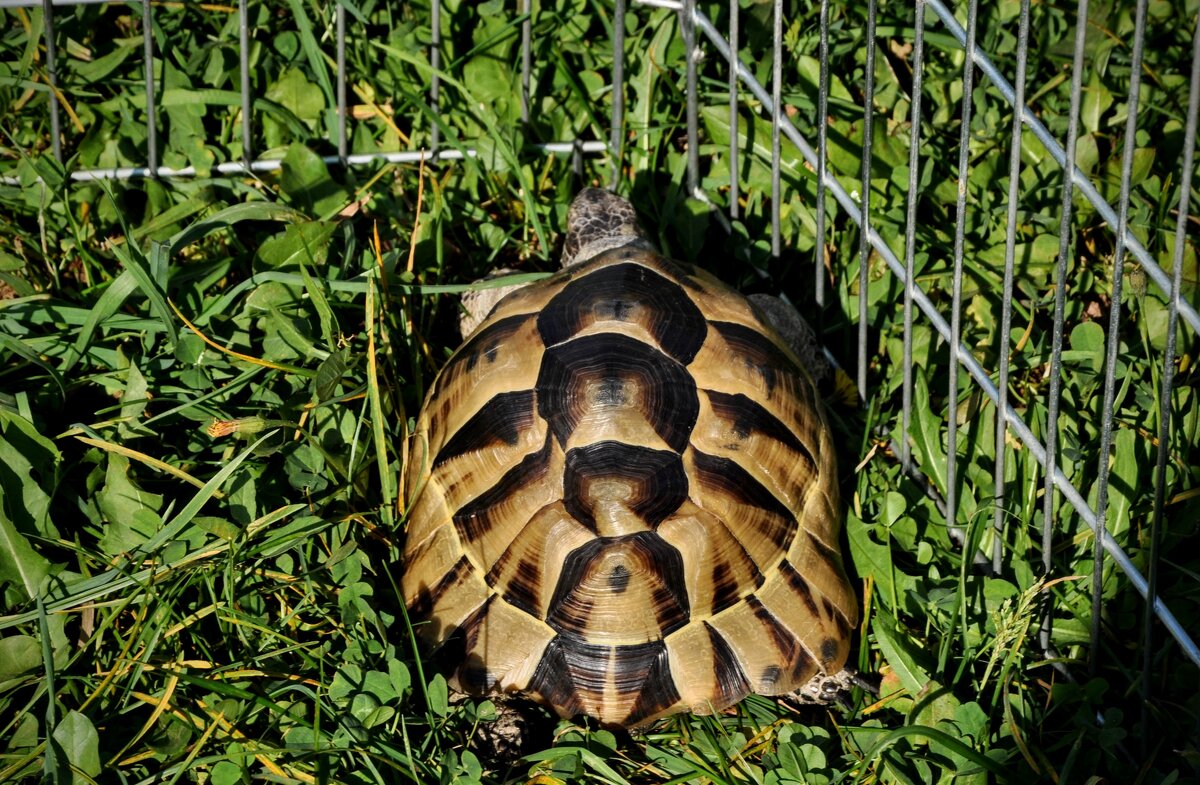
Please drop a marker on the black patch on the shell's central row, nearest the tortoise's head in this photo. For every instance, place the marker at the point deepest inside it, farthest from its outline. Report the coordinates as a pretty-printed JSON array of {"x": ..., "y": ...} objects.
[{"x": 611, "y": 293}]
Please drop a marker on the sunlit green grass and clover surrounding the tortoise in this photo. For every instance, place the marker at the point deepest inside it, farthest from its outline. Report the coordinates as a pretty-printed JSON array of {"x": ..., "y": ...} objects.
[{"x": 206, "y": 388}]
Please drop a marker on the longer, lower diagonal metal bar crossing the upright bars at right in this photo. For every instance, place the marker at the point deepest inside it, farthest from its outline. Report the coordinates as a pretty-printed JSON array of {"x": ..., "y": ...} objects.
[{"x": 964, "y": 356}]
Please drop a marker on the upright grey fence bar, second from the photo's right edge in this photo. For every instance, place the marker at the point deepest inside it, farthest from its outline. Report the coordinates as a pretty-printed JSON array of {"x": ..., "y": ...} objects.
[{"x": 1111, "y": 367}]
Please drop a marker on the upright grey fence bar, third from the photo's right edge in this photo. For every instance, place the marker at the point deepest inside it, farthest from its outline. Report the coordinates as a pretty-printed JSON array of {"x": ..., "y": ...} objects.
[{"x": 1065, "y": 250}]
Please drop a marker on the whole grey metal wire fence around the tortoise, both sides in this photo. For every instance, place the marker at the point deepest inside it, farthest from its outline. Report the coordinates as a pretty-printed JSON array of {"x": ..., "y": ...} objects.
[{"x": 743, "y": 88}]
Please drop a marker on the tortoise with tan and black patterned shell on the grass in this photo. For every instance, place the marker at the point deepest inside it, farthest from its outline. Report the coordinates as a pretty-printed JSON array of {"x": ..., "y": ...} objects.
[{"x": 623, "y": 494}]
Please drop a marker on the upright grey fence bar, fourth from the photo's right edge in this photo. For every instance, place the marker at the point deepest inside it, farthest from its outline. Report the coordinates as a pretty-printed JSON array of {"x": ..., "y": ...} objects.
[{"x": 1006, "y": 316}]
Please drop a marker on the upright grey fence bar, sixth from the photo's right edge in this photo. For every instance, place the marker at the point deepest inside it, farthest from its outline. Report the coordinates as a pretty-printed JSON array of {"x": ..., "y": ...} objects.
[{"x": 910, "y": 242}]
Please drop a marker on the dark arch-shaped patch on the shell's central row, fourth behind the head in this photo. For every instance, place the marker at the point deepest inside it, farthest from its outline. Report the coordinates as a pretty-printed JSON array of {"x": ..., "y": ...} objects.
[{"x": 571, "y": 612}]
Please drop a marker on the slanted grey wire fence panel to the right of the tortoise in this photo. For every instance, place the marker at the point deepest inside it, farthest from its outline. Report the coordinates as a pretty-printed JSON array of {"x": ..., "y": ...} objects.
[{"x": 1117, "y": 221}]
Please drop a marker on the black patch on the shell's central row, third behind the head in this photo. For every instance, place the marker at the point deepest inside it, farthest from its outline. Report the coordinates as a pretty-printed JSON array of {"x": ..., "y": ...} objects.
[{"x": 661, "y": 484}]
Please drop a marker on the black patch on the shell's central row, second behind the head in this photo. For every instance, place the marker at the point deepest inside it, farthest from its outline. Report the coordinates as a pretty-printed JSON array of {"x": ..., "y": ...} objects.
[{"x": 671, "y": 404}]
